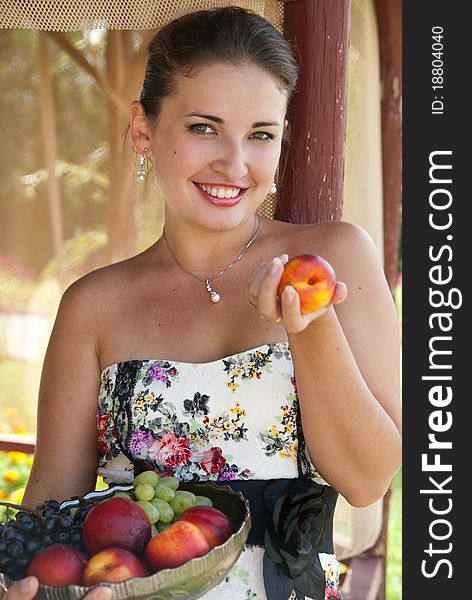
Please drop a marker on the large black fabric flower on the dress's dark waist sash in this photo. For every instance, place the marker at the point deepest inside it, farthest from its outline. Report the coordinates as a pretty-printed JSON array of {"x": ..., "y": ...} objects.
[{"x": 296, "y": 524}]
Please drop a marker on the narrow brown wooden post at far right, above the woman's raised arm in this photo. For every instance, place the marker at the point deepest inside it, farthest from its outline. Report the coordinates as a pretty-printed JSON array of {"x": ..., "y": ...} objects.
[{"x": 389, "y": 16}]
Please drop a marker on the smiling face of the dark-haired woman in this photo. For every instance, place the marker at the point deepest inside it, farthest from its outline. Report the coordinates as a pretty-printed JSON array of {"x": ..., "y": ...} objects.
[{"x": 216, "y": 144}]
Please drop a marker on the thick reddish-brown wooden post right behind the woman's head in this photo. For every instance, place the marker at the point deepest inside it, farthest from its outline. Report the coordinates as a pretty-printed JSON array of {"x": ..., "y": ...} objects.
[{"x": 313, "y": 166}]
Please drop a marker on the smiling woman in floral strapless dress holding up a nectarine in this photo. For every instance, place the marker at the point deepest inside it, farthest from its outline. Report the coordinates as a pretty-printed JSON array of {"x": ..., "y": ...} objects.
[{"x": 147, "y": 335}]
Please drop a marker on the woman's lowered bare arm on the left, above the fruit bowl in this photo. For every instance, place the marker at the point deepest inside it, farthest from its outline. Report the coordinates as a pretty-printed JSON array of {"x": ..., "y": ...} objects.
[{"x": 65, "y": 459}]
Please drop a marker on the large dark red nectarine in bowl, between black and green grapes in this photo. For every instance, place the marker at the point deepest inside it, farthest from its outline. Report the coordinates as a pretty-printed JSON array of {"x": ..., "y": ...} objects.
[{"x": 116, "y": 522}]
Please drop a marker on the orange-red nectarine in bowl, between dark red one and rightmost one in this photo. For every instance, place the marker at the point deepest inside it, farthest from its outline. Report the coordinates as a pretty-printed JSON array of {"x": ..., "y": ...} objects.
[{"x": 174, "y": 546}]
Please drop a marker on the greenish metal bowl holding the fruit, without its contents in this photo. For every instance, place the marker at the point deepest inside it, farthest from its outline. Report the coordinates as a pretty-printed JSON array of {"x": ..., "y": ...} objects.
[{"x": 192, "y": 579}]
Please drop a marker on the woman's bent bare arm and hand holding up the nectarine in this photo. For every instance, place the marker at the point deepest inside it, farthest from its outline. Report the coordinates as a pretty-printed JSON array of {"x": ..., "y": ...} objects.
[{"x": 346, "y": 363}]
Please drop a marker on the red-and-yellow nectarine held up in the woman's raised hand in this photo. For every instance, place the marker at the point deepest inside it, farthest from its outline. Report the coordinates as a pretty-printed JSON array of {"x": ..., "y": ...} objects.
[{"x": 313, "y": 278}]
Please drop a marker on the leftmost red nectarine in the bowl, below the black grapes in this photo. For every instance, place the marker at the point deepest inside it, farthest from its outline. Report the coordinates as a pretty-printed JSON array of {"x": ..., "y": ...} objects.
[{"x": 58, "y": 565}]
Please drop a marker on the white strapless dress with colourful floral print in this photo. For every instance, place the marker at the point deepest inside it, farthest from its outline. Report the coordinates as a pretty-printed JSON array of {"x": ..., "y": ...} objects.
[{"x": 236, "y": 418}]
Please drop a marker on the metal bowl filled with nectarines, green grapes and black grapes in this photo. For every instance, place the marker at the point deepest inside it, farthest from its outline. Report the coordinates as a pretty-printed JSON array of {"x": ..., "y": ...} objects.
[{"x": 158, "y": 538}]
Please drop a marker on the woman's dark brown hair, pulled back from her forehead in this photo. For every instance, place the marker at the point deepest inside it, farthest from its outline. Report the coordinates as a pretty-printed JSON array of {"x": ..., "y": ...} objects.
[{"x": 230, "y": 35}]
